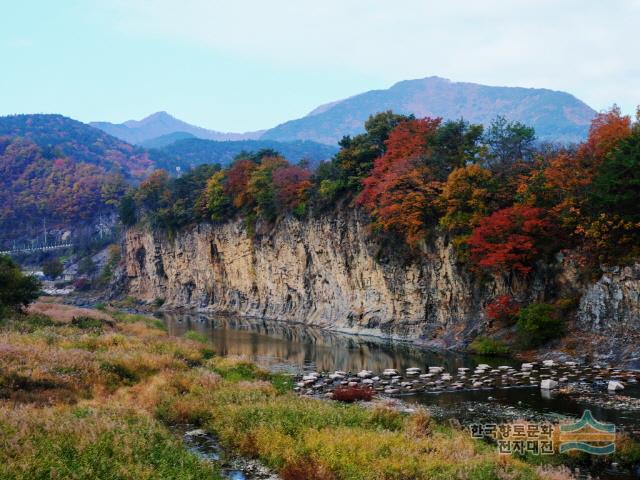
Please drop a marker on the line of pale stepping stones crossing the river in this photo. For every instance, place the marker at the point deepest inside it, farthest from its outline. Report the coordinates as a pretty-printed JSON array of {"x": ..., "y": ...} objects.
[{"x": 548, "y": 375}]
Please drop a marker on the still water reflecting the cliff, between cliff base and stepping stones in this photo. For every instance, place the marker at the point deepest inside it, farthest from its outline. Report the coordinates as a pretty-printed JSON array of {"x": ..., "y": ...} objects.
[{"x": 288, "y": 347}]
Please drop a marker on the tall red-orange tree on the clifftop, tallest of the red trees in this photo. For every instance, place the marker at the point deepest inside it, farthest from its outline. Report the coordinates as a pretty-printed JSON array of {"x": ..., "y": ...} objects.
[{"x": 401, "y": 188}]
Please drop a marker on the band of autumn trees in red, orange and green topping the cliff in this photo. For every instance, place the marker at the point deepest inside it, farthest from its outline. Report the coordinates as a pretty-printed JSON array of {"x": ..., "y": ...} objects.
[{"x": 504, "y": 201}]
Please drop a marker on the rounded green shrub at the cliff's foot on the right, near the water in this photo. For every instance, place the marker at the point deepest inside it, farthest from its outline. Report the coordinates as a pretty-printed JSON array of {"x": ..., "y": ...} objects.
[{"x": 538, "y": 323}]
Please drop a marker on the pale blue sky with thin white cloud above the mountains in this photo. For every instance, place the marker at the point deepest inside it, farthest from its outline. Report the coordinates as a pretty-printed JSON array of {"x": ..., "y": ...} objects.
[{"x": 241, "y": 65}]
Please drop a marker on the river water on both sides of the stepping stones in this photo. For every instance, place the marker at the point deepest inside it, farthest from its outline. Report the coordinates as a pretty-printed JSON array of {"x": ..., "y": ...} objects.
[{"x": 297, "y": 349}]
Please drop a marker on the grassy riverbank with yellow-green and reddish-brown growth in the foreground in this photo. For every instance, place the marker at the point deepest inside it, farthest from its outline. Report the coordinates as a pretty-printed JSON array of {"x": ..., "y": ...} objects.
[{"x": 95, "y": 396}]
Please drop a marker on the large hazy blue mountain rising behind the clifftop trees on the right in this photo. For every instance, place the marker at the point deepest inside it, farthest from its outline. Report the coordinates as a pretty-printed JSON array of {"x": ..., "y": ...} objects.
[{"x": 556, "y": 115}]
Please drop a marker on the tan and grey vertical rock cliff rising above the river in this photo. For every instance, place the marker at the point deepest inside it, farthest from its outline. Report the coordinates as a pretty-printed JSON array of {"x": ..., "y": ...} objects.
[{"x": 329, "y": 272}]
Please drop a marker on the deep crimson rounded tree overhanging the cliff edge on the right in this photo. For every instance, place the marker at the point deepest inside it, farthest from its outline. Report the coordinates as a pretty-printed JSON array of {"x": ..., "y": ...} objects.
[{"x": 510, "y": 239}]
